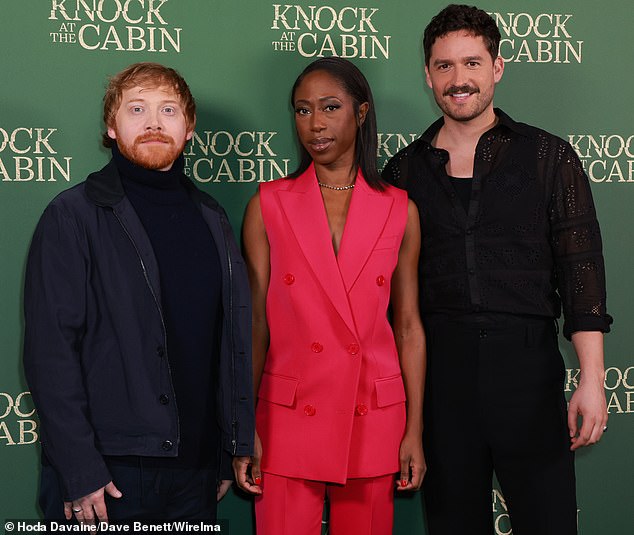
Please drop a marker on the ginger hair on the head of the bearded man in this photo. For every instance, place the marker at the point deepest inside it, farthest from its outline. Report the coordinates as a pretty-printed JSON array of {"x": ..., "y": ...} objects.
[{"x": 145, "y": 74}]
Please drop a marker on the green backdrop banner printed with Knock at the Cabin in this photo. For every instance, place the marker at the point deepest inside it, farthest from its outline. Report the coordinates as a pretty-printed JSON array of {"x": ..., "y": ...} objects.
[{"x": 568, "y": 70}]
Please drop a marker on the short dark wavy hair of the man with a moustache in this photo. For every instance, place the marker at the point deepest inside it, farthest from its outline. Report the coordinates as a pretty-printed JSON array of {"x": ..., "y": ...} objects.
[{"x": 456, "y": 17}]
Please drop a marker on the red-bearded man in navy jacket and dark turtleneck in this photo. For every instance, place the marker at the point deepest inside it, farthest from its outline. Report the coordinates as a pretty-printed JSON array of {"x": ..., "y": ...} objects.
[{"x": 137, "y": 333}]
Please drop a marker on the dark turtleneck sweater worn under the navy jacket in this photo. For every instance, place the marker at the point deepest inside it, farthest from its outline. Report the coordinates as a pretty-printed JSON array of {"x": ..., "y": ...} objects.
[{"x": 190, "y": 274}]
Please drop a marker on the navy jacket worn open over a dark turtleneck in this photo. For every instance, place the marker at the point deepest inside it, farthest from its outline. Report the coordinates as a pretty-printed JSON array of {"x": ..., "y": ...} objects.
[{"x": 95, "y": 343}]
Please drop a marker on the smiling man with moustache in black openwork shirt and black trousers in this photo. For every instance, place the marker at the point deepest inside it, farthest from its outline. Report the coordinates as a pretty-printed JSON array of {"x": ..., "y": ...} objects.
[{"x": 509, "y": 237}]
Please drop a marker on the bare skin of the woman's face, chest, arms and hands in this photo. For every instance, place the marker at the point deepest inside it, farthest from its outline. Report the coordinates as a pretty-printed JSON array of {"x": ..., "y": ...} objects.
[{"x": 326, "y": 124}]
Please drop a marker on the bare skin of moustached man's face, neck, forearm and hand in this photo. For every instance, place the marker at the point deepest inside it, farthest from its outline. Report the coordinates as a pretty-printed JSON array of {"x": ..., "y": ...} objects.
[{"x": 462, "y": 75}]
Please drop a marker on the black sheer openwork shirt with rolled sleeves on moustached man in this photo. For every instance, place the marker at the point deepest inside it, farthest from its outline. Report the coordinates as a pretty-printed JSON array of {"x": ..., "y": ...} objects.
[{"x": 529, "y": 243}]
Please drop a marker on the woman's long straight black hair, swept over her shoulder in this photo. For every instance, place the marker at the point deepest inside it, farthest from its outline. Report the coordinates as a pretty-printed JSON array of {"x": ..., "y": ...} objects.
[{"x": 356, "y": 86}]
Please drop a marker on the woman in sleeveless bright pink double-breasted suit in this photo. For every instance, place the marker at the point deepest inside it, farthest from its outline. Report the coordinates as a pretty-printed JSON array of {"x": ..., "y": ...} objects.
[{"x": 339, "y": 408}]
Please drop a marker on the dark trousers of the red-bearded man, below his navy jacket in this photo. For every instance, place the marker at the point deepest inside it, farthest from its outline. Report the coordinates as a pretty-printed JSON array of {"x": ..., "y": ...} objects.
[{"x": 150, "y": 492}]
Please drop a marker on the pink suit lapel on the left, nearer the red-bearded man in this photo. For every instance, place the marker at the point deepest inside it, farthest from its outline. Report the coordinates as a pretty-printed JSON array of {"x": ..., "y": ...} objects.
[{"x": 304, "y": 209}]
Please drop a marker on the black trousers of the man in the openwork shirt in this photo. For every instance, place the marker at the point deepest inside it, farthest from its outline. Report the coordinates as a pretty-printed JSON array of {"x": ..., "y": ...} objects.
[{"x": 494, "y": 402}]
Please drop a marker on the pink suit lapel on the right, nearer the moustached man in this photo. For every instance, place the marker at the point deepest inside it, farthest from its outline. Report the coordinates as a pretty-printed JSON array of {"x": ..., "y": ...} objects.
[{"x": 367, "y": 216}]
